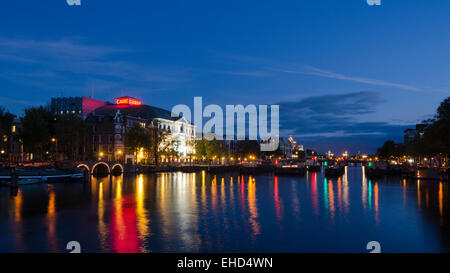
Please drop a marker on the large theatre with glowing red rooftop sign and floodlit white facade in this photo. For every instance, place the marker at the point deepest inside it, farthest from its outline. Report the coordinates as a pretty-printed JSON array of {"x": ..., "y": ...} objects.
[{"x": 110, "y": 123}]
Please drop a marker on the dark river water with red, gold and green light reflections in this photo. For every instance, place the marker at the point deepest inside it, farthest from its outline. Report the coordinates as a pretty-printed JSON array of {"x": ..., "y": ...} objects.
[{"x": 200, "y": 212}]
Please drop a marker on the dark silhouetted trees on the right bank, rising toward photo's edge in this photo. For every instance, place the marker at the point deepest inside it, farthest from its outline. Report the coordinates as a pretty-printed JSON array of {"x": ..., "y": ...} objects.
[{"x": 435, "y": 141}]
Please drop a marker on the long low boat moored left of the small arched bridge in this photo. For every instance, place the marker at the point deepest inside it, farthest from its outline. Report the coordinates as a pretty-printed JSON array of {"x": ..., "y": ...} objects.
[{"x": 27, "y": 176}]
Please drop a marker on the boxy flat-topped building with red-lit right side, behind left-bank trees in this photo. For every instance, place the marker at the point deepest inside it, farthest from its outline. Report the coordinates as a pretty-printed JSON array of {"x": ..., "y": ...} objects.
[{"x": 81, "y": 106}]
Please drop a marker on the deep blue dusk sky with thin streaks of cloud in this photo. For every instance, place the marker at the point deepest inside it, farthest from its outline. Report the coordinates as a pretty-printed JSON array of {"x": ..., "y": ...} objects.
[{"x": 347, "y": 75}]
